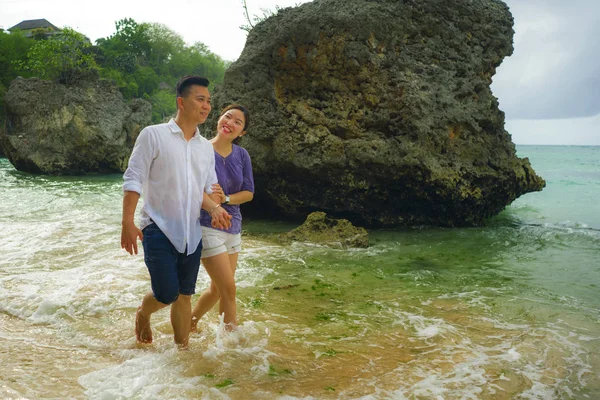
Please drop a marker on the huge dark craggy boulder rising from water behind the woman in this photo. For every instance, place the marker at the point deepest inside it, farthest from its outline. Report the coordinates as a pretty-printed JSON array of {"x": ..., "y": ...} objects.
[{"x": 380, "y": 111}]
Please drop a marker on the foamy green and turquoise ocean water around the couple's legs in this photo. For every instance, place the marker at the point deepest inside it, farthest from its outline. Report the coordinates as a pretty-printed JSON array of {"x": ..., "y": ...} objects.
[{"x": 506, "y": 311}]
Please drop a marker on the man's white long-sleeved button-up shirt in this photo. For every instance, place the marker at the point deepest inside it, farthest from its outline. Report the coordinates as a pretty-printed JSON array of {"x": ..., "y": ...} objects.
[{"x": 171, "y": 175}]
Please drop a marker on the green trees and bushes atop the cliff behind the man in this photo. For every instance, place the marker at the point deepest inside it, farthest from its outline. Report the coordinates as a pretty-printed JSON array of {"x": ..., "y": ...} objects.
[{"x": 144, "y": 60}]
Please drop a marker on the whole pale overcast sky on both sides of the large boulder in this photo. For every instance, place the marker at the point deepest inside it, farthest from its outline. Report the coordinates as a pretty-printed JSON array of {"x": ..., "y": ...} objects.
[{"x": 549, "y": 88}]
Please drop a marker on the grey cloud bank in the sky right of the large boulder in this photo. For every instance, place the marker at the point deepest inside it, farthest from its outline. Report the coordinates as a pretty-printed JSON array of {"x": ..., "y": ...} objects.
[{"x": 555, "y": 69}]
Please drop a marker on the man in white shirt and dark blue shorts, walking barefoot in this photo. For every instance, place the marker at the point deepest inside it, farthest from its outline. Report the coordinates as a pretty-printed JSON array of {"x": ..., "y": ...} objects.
[{"x": 174, "y": 167}]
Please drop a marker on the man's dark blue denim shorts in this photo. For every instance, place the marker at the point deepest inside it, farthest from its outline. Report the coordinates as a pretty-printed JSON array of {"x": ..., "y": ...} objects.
[{"x": 171, "y": 273}]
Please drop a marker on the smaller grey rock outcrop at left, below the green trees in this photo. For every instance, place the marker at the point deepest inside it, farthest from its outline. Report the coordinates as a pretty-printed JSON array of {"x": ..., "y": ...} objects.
[{"x": 77, "y": 129}]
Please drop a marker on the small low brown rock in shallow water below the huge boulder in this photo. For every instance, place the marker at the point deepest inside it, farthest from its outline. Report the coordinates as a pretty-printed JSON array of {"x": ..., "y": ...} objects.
[{"x": 321, "y": 229}]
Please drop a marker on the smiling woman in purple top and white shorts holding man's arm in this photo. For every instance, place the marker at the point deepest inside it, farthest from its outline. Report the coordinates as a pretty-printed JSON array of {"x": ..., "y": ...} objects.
[{"x": 220, "y": 248}]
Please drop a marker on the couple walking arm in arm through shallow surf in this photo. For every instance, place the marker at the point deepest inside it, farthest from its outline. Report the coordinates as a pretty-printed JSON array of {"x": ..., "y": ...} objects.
[{"x": 180, "y": 173}]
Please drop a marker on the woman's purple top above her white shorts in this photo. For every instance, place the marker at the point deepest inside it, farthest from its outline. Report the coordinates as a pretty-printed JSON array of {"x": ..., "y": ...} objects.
[{"x": 234, "y": 174}]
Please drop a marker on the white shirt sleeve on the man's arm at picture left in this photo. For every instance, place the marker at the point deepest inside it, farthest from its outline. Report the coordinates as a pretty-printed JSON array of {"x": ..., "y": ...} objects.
[{"x": 141, "y": 158}]
